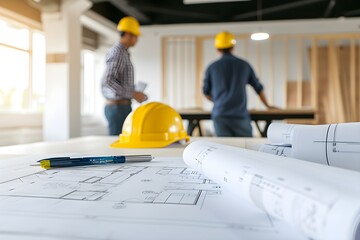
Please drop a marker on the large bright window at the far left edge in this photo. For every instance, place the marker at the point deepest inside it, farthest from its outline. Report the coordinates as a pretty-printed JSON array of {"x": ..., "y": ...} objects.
[{"x": 22, "y": 67}]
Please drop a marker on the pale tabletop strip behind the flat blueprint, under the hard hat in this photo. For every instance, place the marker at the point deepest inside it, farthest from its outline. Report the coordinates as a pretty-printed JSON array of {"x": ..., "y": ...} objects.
[{"x": 101, "y": 145}]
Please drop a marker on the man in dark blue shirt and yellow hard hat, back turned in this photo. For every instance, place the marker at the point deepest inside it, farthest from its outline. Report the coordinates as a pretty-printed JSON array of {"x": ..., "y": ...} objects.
[{"x": 225, "y": 85}]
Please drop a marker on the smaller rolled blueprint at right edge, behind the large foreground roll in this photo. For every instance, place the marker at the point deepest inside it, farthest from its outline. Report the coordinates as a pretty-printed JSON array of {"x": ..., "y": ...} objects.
[{"x": 332, "y": 144}]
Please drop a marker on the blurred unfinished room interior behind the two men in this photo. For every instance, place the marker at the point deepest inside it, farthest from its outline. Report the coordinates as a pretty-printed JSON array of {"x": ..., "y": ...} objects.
[{"x": 52, "y": 57}]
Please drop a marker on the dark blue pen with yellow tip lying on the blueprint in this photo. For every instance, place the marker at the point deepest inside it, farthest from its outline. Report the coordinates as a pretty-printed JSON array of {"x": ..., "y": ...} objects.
[{"x": 98, "y": 160}]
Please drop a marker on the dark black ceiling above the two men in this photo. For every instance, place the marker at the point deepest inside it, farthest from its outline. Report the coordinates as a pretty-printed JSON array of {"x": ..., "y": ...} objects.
[{"x": 150, "y": 12}]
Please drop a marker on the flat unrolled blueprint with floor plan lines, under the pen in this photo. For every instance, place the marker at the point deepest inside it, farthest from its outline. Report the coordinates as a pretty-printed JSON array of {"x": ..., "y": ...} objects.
[{"x": 163, "y": 199}]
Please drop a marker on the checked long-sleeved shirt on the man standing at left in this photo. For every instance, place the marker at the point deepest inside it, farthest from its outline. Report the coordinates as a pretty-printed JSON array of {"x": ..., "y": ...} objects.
[{"x": 118, "y": 79}]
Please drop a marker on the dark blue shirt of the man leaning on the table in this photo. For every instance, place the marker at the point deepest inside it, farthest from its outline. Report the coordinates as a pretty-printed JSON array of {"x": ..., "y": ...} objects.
[{"x": 225, "y": 81}]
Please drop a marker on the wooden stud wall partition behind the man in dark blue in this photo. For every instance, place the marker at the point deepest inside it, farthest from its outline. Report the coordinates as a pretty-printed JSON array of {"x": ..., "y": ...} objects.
[{"x": 327, "y": 64}]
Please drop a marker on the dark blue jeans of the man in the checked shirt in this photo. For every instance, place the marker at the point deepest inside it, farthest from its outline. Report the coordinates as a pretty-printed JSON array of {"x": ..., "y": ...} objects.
[{"x": 116, "y": 115}]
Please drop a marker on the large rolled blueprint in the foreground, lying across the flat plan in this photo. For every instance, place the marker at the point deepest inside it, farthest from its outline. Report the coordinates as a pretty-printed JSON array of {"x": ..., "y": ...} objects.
[{"x": 322, "y": 202}]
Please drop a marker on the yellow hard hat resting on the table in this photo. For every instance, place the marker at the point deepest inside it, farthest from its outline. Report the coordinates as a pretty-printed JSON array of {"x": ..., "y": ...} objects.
[{"x": 151, "y": 125}]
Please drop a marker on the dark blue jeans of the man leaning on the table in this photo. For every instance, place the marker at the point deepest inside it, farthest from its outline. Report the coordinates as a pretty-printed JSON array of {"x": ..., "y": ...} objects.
[{"x": 232, "y": 127}]
